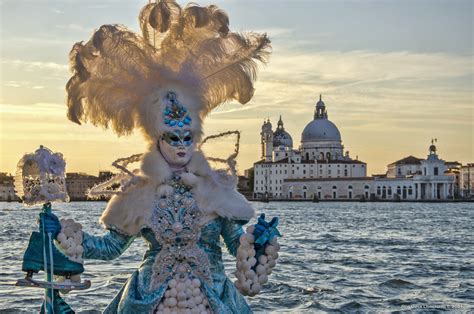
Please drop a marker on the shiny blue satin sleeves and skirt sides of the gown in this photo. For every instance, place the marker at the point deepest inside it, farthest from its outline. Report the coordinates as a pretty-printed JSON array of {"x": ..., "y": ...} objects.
[{"x": 136, "y": 296}]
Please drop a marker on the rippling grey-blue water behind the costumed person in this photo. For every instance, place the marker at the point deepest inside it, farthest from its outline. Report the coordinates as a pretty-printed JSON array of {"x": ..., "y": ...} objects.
[{"x": 335, "y": 257}]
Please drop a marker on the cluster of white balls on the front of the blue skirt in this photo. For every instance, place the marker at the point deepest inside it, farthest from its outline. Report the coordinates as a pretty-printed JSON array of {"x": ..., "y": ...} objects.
[{"x": 184, "y": 296}]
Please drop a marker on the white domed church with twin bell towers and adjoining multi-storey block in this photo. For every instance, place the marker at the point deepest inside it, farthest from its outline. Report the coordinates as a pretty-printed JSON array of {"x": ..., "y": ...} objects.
[{"x": 319, "y": 162}]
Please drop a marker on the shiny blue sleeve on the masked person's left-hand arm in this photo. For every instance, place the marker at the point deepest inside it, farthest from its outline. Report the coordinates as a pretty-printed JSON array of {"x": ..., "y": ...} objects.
[{"x": 107, "y": 247}]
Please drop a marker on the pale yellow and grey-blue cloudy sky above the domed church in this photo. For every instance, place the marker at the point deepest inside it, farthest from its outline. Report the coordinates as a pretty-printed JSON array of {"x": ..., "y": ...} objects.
[{"x": 393, "y": 75}]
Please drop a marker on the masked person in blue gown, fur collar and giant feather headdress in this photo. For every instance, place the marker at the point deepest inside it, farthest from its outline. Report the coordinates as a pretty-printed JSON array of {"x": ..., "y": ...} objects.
[{"x": 165, "y": 82}]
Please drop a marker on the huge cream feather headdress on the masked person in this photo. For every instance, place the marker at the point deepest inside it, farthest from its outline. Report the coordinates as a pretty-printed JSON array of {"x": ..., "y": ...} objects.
[{"x": 121, "y": 79}]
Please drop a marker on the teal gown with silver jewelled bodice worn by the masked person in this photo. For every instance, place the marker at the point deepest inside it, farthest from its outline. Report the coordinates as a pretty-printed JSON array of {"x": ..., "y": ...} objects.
[{"x": 178, "y": 235}]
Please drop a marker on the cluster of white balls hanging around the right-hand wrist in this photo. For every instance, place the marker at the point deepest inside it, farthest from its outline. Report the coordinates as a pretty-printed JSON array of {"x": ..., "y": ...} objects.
[{"x": 252, "y": 274}]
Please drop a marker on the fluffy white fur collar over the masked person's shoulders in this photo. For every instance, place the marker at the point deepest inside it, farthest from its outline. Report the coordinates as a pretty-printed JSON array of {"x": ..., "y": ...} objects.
[{"x": 214, "y": 191}]
